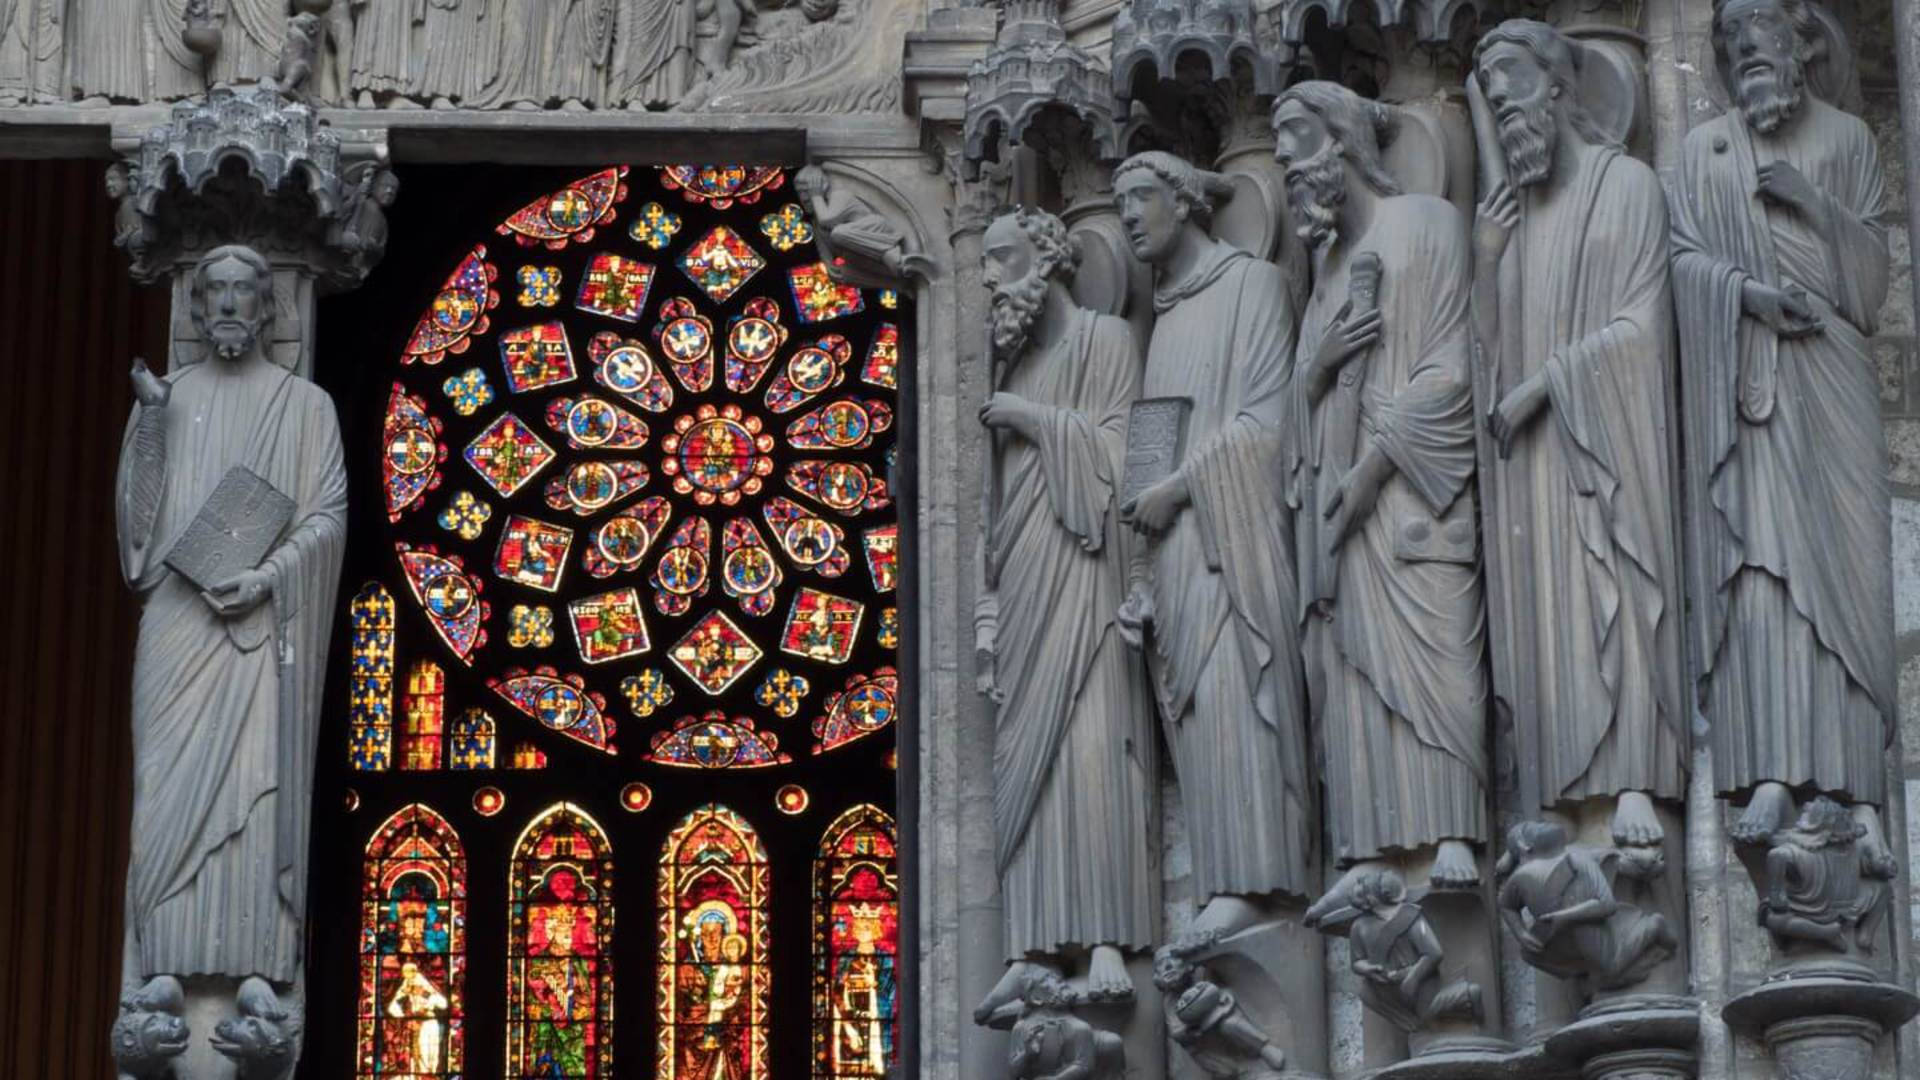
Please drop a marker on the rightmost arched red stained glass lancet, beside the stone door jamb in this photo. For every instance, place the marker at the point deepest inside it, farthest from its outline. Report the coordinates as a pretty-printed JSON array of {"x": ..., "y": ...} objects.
[{"x": 857, "y": 948}]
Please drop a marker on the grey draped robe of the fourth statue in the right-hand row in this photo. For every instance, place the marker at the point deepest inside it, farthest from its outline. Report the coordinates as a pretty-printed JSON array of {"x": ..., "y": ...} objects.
[{"x": 1581, "y": 514}]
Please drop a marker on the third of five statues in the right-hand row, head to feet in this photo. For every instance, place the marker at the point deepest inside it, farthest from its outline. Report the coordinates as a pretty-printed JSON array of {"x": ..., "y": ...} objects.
[{"x": 1389, "y": 579}]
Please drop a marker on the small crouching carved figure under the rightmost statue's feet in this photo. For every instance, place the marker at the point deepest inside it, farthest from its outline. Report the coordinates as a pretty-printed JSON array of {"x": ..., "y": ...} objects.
[{"x": 1821, "y": 889}]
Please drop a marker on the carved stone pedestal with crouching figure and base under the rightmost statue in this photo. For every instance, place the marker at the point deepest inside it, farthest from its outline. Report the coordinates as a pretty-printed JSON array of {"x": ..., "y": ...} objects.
[{"x": 1825, "y": 896}]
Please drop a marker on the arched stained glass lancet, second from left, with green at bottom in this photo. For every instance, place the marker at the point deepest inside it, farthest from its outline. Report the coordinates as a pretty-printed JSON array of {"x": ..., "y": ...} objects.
[{"x": 560, "y": 964}]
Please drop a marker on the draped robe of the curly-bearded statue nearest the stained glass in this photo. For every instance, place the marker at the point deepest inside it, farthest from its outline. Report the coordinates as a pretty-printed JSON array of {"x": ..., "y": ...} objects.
[{"x": 1074, "y": 739}]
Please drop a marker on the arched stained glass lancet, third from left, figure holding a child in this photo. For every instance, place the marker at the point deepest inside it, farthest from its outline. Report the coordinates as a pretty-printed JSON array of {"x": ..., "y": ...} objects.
[{"x": 715, "y": 981}]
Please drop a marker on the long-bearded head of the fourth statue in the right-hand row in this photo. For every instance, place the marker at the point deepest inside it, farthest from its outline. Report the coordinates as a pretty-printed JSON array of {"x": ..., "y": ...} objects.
[{"x": 1531, "y": 78}]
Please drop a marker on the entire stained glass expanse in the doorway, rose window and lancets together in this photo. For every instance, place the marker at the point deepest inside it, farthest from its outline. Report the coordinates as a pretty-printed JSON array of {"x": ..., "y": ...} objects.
[{"x": 638, "y": 564}]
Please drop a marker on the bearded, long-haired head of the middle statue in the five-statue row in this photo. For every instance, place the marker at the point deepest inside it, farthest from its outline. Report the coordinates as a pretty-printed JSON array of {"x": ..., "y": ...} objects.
[{"x": 1322, "y": 134}]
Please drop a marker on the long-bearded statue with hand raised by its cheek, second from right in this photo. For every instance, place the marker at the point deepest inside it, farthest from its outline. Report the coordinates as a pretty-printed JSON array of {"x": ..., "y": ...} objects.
[{"x": 1575, "y": 324}]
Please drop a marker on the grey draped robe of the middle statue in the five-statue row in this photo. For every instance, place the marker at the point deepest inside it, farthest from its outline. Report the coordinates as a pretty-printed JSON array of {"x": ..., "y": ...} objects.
[{"x": 1395, "y": 626}]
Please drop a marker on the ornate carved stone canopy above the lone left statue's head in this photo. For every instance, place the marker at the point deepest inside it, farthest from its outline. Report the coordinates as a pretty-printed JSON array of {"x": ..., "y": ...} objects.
[{"x": 252, "y": 166}]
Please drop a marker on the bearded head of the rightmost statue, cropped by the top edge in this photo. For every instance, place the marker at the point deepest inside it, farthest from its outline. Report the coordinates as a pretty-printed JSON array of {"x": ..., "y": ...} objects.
[{"x": 1764, "y": 49}]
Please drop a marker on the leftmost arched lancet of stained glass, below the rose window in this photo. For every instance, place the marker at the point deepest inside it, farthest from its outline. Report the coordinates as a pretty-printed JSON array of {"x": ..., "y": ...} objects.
[{"x": 414, "y": 948}]
